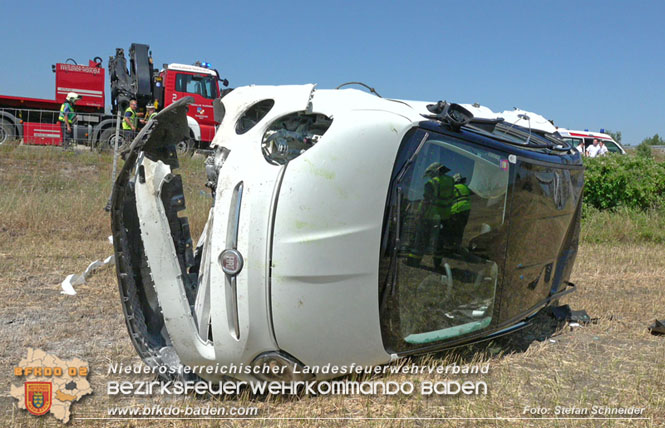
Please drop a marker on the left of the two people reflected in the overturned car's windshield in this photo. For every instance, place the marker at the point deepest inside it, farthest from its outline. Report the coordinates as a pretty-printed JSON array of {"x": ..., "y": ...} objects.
[{"x": 435, "y": 214}]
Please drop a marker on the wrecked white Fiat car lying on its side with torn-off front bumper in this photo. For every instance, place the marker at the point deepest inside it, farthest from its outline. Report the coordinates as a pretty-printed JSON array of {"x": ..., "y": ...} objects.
[{"x": 344, "y": 229}]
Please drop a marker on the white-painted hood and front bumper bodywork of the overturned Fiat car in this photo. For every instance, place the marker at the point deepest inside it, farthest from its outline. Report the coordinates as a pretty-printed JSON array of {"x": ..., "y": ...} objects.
[{"x": 292, "y": 234}]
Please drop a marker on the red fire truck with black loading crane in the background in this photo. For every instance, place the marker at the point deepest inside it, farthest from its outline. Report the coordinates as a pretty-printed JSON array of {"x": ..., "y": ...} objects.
[{"x": 36, "y": 120}]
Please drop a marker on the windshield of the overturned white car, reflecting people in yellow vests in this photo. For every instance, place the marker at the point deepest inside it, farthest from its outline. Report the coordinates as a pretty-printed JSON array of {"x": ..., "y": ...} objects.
[{"x": 447, "y": 216}]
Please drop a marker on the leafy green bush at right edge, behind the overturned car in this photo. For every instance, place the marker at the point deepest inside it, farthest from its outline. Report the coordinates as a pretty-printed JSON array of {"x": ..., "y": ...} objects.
[{"x": 613, "y": 181}]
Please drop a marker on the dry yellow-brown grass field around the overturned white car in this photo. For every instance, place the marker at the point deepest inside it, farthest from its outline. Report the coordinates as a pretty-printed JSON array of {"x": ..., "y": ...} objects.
[{"x": 52, "y": 224}]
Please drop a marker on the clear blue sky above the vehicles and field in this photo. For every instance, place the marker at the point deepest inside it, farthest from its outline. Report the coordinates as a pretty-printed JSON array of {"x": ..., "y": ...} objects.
[{"x": 583, "y": 64}]
